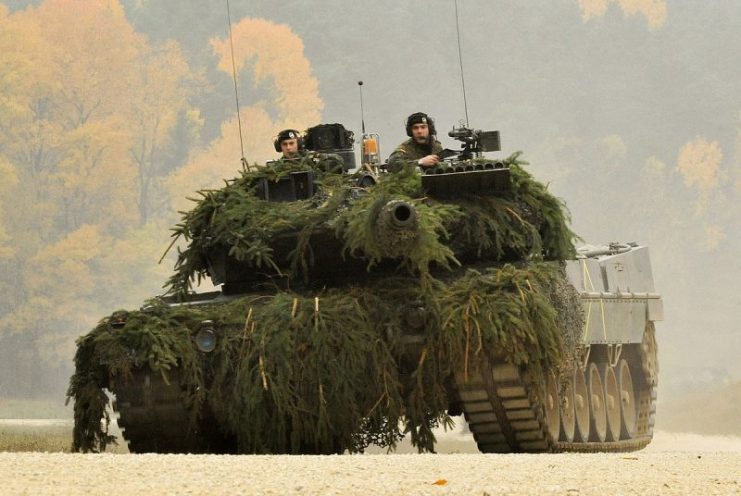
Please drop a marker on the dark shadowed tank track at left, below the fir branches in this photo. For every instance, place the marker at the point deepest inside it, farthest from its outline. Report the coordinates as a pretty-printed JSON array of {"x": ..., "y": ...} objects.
[{"x": 152, "y": 414}]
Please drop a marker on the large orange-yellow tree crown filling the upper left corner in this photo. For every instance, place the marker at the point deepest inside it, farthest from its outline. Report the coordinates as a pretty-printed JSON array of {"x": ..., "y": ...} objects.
[{"x": 91, "y": 116}]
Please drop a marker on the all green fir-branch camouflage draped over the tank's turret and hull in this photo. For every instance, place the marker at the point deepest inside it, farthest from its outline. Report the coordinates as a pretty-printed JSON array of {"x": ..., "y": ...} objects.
[{"x": 330, "y": 369}]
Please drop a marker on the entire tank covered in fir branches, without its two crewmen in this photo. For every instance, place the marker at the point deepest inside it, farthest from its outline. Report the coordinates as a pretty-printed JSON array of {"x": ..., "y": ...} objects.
[{"x": 359, "y": 308}]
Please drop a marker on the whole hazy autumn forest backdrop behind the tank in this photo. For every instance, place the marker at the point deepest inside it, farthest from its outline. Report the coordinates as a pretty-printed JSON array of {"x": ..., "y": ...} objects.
[{"x": 113, "y": 112}]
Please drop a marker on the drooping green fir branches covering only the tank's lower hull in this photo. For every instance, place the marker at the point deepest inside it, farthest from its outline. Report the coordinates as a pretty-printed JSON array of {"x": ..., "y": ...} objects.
[{"x": 329, "y": 365}]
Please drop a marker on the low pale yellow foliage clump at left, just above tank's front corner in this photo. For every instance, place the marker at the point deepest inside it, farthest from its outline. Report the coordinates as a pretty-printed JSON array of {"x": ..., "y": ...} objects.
[{"x": 85, "y": 275}]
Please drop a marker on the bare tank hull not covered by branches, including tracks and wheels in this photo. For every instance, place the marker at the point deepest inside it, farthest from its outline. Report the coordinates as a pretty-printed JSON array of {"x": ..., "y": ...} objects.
[{"x": 604, "y": 401}]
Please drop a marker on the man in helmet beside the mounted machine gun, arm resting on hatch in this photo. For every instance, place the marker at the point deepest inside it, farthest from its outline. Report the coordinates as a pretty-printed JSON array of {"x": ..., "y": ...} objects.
[{"x": 422, "y": 148}]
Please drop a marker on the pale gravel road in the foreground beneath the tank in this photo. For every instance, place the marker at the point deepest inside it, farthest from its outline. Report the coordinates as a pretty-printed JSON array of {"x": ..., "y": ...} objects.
[{"x": 673, "y": 464}]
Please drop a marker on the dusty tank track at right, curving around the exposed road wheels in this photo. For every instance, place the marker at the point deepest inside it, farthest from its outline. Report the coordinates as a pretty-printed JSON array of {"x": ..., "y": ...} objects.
[{"x": 505, "y": 412}]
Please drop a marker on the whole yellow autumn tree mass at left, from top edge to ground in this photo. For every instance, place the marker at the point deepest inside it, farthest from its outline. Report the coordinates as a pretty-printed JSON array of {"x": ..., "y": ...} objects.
[{"x": 92, "y": 118}]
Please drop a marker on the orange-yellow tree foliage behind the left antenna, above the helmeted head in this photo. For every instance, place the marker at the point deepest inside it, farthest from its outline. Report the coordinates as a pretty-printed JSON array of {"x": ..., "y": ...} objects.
[{"x": 276, "y": 56}]
